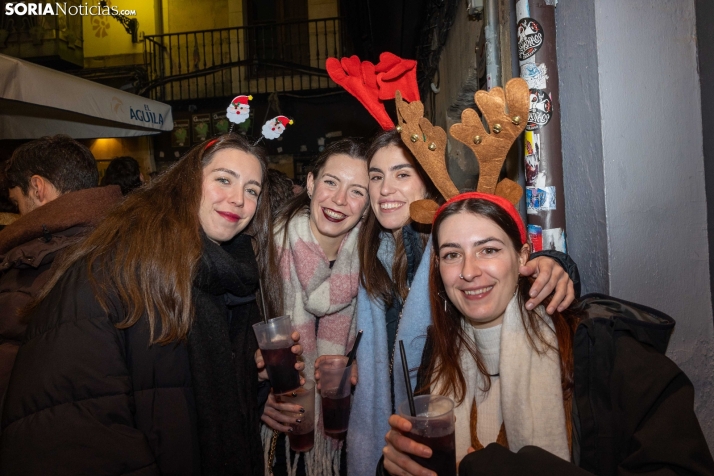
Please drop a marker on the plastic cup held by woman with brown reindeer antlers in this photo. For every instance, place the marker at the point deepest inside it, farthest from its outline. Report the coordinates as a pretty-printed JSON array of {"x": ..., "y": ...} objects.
[{"x": 434, "y": 427}]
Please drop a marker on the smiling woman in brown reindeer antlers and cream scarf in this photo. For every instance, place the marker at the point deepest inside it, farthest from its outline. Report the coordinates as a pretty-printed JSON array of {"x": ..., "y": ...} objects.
[{"x": 585, "y": 390}]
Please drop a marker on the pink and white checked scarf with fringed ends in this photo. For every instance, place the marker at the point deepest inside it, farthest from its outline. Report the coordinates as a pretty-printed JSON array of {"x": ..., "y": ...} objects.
[{"x": 312, "y": 291}]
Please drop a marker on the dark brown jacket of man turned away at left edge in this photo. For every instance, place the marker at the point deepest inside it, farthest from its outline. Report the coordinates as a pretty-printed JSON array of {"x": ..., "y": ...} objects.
[{"x": 28, "y": 247}]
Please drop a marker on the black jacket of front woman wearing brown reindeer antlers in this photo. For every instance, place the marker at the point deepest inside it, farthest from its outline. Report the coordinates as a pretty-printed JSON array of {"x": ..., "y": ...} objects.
[{"x": 634, "y": 408}]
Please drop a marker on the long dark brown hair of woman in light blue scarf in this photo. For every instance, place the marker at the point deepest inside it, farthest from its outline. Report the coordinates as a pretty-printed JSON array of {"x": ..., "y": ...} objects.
[{"x": 373, "y": 276}]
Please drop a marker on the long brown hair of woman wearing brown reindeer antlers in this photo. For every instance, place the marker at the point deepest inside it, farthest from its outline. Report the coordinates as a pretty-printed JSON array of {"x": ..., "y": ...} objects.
[{"x": 447, "y": 333}]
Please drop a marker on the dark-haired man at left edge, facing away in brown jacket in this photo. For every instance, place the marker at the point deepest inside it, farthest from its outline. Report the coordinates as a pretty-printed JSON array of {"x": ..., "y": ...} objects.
[{"x": 53, "y": 183}]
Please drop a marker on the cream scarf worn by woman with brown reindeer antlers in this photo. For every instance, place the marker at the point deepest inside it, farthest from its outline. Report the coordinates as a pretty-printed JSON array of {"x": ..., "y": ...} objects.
[{"x": 531, "y": 392}]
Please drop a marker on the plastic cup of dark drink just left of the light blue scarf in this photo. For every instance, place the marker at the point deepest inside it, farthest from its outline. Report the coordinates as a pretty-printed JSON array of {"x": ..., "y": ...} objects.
[{"x": 335, "y": 391}]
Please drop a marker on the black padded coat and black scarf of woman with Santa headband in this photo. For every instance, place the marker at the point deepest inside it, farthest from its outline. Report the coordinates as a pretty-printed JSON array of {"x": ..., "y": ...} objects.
[{"x": 88, "y": 398}]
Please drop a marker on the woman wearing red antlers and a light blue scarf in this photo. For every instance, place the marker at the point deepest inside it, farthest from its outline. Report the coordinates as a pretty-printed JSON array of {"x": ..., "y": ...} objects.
[{"x": 403, "y": 170}]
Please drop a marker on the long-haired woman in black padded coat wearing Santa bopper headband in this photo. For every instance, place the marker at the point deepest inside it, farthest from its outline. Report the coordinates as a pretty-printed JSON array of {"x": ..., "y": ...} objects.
[{"x": 139, "y": 356}]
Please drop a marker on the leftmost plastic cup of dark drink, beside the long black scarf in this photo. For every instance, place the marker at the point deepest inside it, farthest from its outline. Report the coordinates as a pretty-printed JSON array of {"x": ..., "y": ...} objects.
[{"x": 275, "y": 342}]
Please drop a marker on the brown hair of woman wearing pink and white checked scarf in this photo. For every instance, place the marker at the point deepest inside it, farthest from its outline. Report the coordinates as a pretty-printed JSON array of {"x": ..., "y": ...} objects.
[{"x": 355, "y": 148}]
